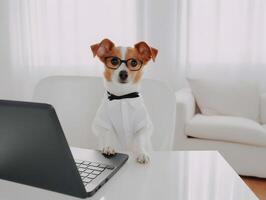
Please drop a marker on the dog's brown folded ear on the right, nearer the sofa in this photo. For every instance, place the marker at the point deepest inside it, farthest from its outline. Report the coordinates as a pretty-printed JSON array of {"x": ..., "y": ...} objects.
[{"x": 146, "y": 52}]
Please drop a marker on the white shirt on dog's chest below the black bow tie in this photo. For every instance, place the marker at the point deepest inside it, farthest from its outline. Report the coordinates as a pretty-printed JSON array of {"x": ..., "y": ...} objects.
[{"x": 125, "y": 117}]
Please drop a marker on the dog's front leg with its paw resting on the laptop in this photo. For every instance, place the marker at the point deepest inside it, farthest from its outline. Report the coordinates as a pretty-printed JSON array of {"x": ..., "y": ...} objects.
[{"x": 107, "y": 139}]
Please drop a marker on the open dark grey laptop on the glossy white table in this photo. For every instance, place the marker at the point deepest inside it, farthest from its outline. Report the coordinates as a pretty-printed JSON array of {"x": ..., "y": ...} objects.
[{"x": 35, "y": 152}]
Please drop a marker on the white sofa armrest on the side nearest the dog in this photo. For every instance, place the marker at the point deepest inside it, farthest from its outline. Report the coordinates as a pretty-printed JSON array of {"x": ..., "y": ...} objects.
[{"x": 185, "y": 110}]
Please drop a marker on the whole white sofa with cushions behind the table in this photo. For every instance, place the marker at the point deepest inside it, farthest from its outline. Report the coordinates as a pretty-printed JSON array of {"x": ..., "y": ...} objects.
[{"x": 240, "y": 139}]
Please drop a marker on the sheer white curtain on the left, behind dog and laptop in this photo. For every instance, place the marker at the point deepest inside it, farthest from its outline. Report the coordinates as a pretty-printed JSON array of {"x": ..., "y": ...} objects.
[{"x": 53, "y": 37}]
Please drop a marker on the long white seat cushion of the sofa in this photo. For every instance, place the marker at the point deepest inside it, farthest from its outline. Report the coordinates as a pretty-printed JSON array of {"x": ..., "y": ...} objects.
[{"x": 231, "y": 129}]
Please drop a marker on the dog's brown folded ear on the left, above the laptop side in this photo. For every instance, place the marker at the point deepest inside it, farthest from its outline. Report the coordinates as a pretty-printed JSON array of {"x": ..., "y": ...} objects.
[{"x": 102, "y": 48}]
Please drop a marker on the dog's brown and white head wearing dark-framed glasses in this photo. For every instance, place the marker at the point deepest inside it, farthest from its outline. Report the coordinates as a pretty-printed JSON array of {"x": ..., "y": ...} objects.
[{"x": 123, "y": 65}]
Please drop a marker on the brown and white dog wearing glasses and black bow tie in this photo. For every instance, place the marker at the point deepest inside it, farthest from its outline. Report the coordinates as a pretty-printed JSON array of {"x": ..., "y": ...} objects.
[{"x": 122, "y": 121}]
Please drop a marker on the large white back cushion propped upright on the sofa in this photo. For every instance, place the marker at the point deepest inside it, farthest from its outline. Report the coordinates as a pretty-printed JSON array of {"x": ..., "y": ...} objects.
[{"x": 226, "y": 97}]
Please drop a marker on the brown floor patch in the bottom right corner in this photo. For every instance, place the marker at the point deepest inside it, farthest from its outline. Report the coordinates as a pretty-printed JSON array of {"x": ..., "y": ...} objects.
[{"x": 257, "y": 185}]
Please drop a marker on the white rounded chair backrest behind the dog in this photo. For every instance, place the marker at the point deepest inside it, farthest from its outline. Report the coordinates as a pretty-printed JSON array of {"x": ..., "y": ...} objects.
[{"x": 76, "y": 100}]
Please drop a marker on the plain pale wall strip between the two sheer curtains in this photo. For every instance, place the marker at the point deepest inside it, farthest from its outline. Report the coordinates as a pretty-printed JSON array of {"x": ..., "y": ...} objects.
[{"x": 159, "y": 27}]
